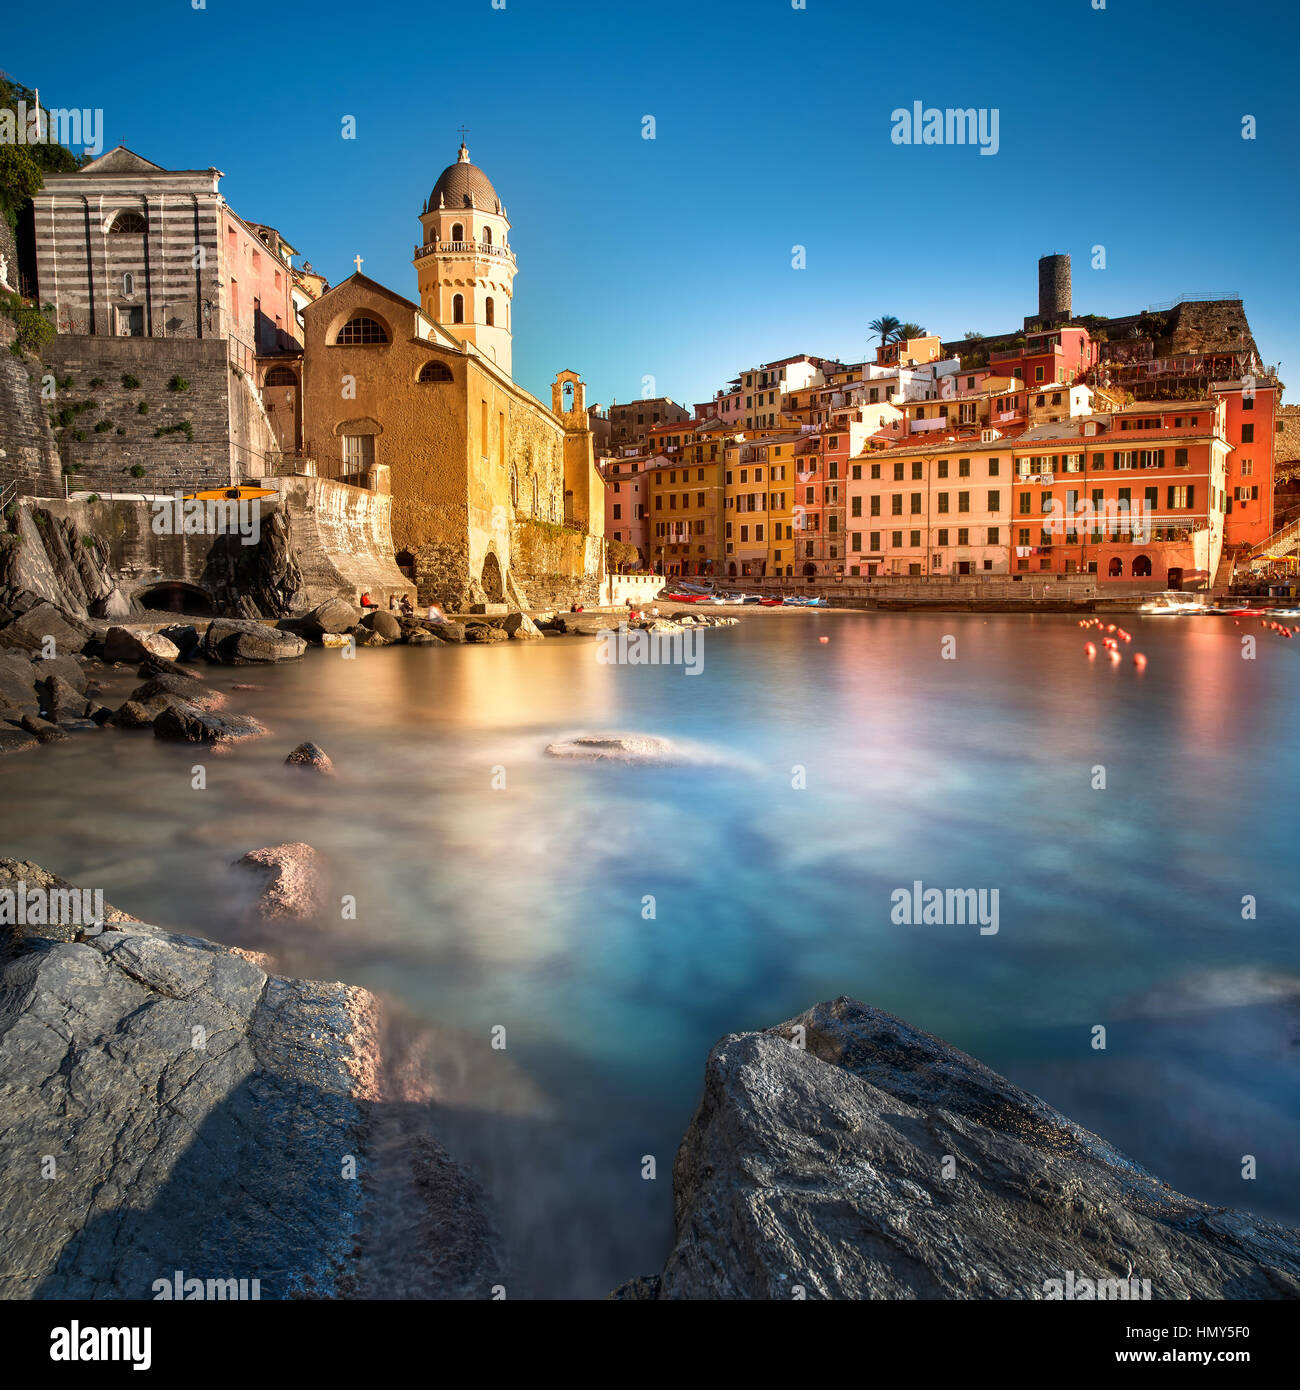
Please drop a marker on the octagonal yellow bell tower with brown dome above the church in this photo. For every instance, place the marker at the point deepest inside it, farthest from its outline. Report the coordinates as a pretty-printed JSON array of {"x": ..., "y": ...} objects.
[{"x": 465, "y": 265}]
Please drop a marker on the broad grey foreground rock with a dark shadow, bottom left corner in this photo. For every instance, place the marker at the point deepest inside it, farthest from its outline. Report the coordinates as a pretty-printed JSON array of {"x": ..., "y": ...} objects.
[{"x": 200, "y": 1111}]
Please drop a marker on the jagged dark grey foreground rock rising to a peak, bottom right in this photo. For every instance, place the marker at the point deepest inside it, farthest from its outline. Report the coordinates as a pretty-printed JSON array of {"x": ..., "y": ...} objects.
[{"x": 822, "y": 1170}]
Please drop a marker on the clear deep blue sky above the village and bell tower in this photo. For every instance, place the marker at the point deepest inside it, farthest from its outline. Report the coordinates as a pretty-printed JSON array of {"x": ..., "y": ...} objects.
[{"x": 672, "y": 258}]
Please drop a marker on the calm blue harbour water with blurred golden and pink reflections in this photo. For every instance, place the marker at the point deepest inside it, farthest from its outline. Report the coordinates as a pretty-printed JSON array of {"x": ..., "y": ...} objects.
[{"x": 525, "y": 907}]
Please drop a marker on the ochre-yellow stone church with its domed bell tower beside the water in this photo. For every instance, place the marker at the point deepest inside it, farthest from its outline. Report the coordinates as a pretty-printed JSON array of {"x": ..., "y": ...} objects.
[{"x": 496, "y": 498}]
